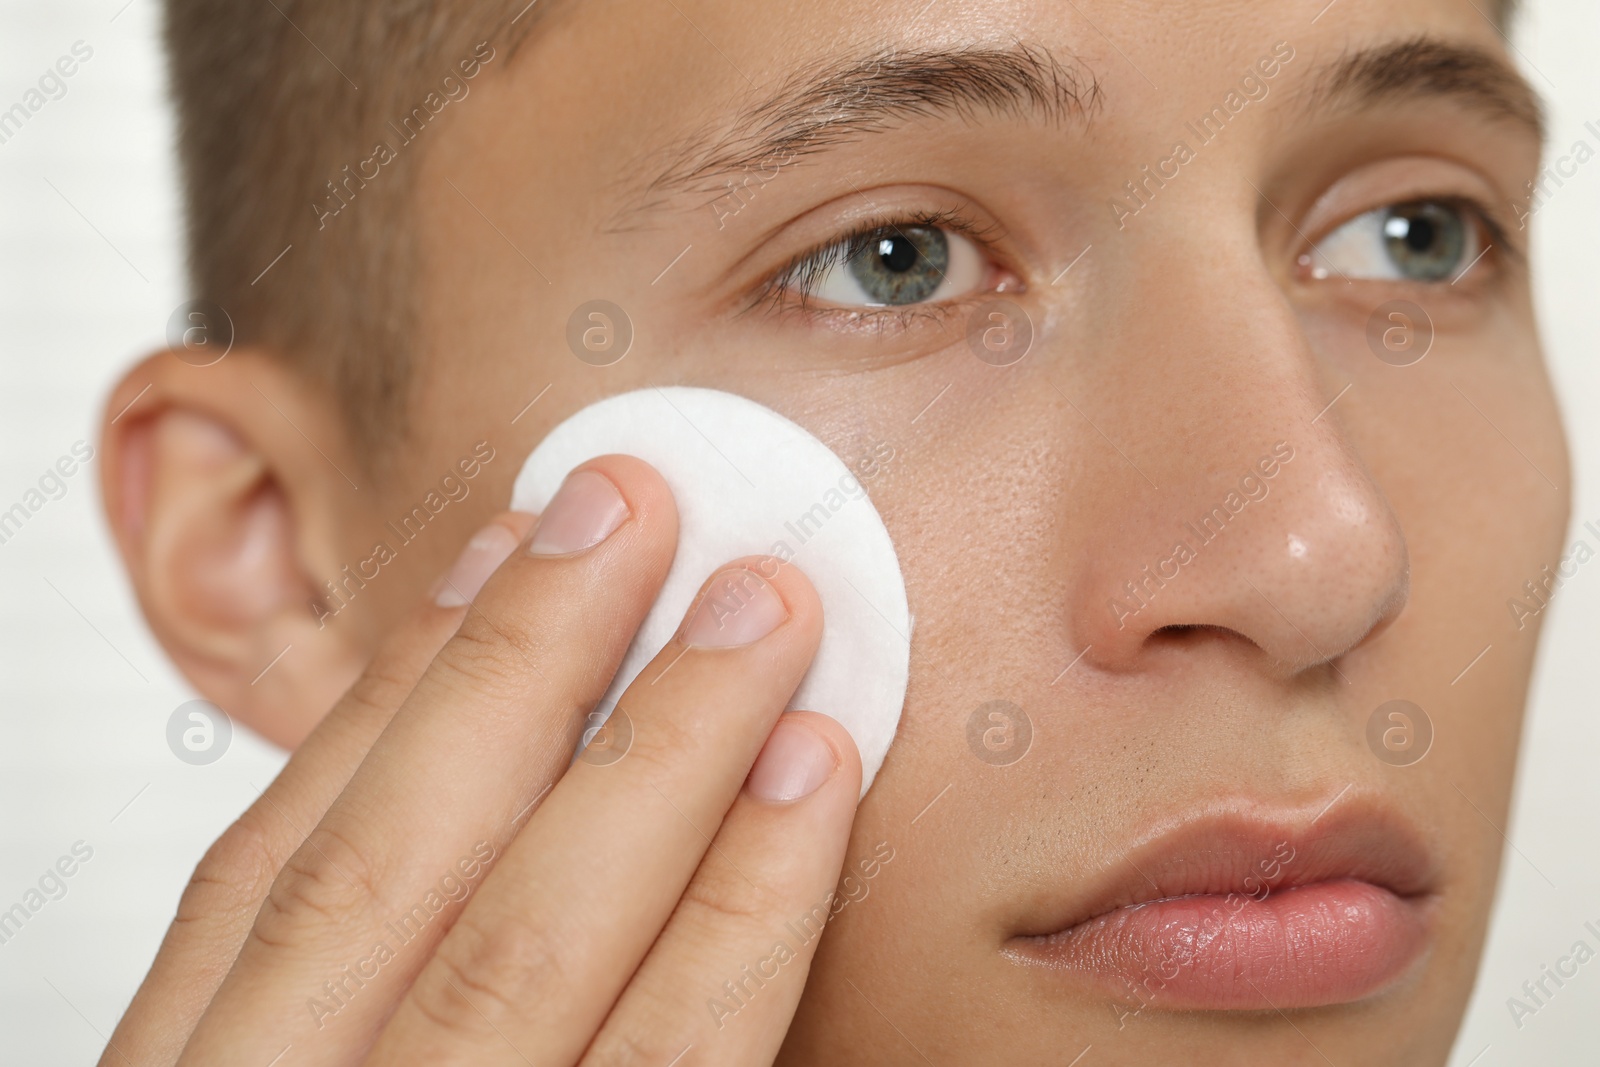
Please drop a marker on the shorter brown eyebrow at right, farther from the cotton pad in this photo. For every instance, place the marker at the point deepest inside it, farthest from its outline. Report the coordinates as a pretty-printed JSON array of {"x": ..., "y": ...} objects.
[{"x": 1423, "y": 68}]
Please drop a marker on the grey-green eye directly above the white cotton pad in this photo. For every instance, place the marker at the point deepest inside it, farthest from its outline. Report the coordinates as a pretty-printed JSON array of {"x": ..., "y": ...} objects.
[{"x": 890, "y": 266}]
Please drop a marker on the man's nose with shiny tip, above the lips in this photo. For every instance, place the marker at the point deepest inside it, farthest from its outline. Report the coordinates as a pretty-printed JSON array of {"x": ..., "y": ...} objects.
[{"x": 1266, "y": 530}]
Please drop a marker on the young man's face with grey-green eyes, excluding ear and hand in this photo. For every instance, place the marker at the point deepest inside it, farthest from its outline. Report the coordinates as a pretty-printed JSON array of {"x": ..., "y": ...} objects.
[{"x": 1202, "y": 398}]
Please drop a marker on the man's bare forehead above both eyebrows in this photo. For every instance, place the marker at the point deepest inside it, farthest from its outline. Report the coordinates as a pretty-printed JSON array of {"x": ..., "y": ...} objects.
[{"x": 652, "y": 68}]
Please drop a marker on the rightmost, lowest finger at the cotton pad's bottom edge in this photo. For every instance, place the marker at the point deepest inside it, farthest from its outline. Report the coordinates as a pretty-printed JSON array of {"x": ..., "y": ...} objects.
[{"x": 722, "y": 983}]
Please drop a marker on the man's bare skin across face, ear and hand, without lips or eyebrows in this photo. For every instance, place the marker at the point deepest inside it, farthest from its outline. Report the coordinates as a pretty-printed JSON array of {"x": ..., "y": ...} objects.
[{"x": 1172, "y": 351}]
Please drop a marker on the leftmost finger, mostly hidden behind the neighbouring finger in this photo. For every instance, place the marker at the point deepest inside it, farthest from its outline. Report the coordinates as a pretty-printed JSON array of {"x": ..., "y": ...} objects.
[{"x": 230, "y": 884}]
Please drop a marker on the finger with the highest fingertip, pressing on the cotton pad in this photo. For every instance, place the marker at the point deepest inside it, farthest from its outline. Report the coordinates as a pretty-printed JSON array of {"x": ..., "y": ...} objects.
[{"x": 494, "y": 721}]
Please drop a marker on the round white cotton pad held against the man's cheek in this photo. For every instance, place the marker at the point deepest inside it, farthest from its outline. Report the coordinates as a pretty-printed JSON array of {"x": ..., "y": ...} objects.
[{"x": 748, "y": 481}]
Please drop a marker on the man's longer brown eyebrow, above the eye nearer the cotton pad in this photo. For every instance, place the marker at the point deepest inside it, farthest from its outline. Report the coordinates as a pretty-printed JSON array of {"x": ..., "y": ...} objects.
[{"x": 828, "y": 105}]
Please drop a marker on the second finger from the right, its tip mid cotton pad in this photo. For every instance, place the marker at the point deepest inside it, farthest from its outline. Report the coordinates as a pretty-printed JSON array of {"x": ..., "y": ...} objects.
[{"x": 545, "y": 949}]
